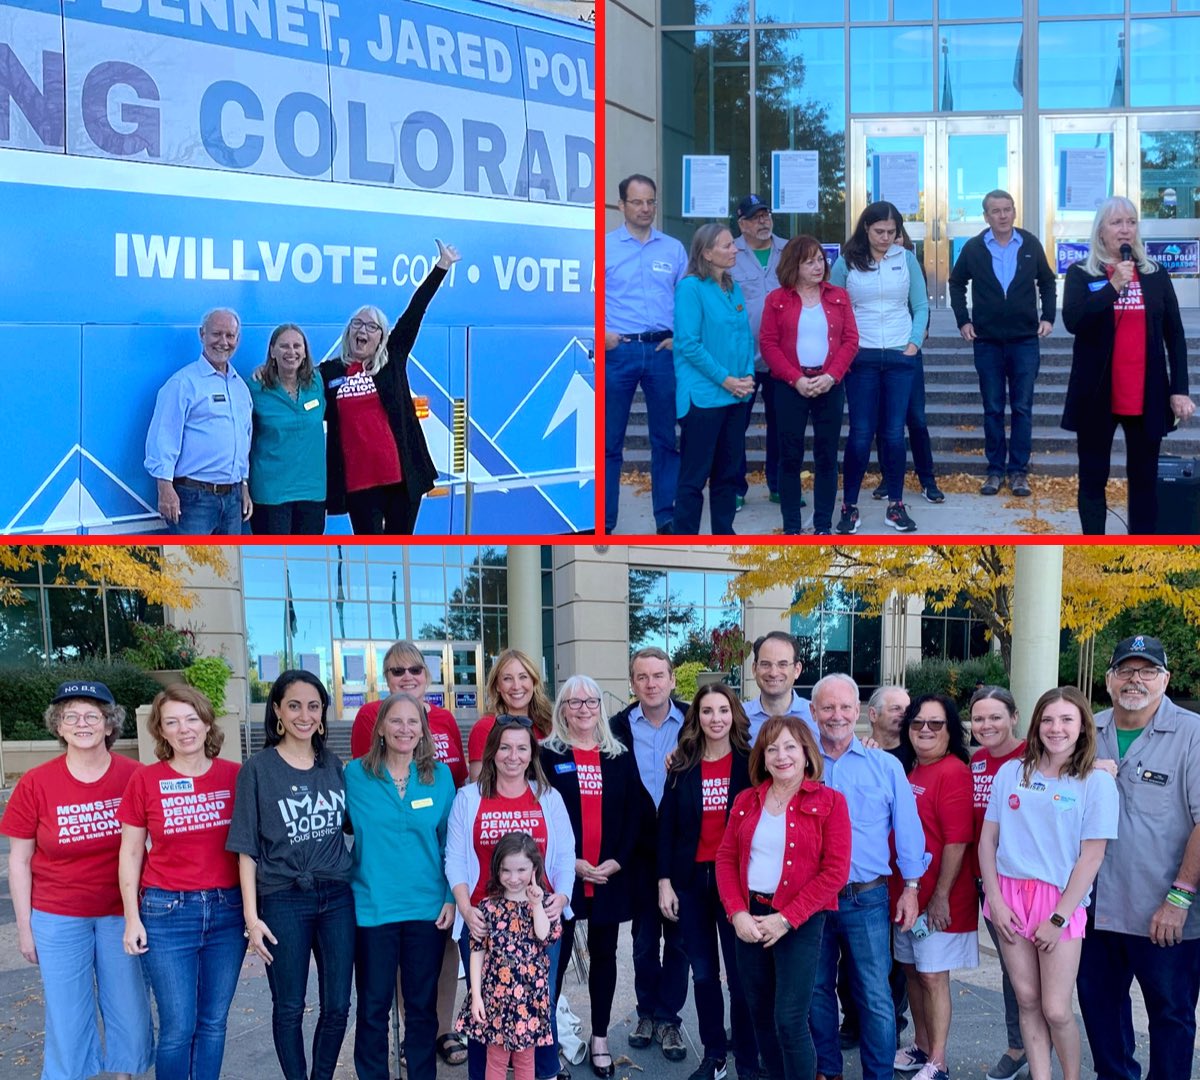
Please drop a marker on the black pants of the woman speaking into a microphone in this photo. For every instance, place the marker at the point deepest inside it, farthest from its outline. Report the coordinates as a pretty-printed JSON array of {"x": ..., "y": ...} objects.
[{"x": 1142, "y": 470}]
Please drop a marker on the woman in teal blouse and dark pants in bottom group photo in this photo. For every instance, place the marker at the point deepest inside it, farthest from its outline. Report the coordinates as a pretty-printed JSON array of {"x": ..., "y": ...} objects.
[{"x": 398, "y": 799}]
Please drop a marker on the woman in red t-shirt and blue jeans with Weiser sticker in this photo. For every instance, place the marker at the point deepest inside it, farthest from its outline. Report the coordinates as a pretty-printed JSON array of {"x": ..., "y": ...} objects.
[{"x": 183, "y": 903}]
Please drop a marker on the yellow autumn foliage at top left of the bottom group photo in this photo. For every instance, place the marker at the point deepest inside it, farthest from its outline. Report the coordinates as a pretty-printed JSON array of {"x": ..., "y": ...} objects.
[{"x": 159, "y": 574}]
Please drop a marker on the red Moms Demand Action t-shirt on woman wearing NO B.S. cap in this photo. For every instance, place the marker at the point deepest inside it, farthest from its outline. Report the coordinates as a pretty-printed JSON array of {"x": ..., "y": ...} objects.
[{"x": 77, "y": 836}]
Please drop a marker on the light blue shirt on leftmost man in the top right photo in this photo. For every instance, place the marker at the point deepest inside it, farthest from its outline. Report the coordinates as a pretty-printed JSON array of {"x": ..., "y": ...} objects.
[{"x": 640, "y": 280}]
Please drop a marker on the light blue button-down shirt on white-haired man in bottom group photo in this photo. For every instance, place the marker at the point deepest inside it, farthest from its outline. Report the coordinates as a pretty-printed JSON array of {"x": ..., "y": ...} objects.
[{"x": 881, "y": 802}]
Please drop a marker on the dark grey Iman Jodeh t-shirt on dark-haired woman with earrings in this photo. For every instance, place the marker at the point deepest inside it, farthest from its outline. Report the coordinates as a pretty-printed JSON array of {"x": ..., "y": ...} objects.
[{"x": 290, "y": 821}]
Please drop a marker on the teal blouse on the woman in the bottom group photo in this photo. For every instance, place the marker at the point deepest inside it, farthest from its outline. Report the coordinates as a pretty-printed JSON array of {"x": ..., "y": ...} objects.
[{"x": 399, "y": 855}]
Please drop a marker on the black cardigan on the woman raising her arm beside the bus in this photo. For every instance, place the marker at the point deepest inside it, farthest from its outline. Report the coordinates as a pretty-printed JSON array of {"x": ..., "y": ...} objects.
[{"x": 417, "y": 466}]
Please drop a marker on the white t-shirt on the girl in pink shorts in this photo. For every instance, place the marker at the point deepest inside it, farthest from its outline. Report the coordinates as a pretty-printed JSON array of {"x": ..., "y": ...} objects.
[{"x": 1043, "y": 824}]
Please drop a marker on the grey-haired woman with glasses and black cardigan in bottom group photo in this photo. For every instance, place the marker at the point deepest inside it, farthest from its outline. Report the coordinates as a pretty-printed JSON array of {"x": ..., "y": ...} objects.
[{"x": 604, "y": 797}]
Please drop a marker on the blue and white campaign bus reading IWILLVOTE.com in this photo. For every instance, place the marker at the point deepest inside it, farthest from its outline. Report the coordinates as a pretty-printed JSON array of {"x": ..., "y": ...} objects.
[{"x": 296, "y": 160}]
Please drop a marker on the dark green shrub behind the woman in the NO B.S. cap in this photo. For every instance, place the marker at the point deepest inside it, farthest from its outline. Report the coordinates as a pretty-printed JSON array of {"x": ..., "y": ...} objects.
[{"x": 27, "y": 692}]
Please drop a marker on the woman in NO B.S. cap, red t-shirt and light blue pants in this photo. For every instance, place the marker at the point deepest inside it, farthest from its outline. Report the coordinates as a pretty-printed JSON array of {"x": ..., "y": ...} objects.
[{"x": 65, "y": 838}]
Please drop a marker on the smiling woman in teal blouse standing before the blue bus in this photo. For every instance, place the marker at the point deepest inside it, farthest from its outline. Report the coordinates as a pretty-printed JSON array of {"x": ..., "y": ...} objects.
[{"x": 287, "y": 451}]
